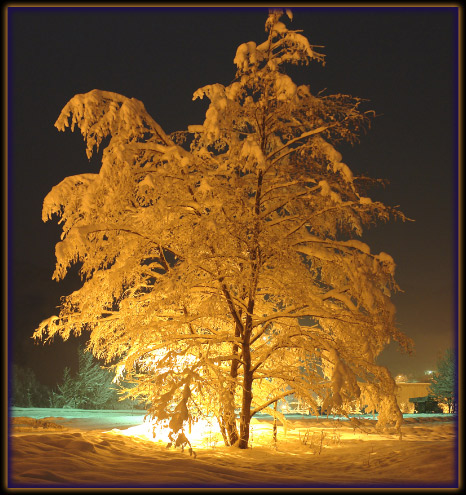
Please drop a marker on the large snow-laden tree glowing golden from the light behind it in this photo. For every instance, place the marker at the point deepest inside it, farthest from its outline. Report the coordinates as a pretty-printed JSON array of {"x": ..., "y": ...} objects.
[{"x": 221, "y": 266}]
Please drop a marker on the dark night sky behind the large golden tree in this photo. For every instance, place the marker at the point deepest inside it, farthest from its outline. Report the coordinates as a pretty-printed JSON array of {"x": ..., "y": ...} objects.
[{"x": 404, "y": 60}]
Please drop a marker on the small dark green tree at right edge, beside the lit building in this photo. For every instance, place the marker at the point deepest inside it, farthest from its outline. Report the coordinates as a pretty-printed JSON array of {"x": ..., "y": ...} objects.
[{"x": 443, "y": 386}]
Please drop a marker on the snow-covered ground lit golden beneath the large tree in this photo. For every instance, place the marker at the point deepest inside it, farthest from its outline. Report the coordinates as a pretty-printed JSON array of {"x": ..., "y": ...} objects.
[{"x": 76, "y": 448}]
